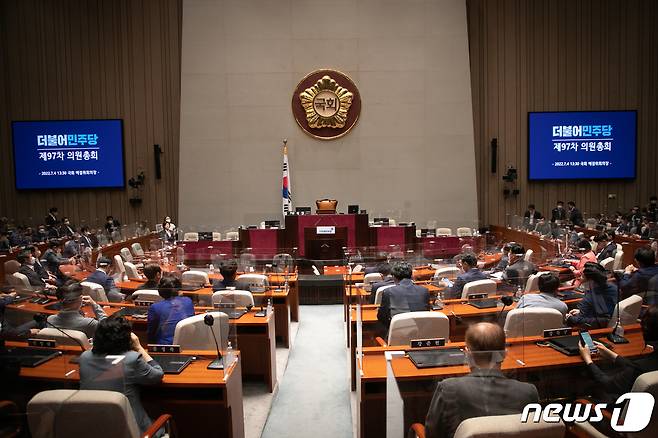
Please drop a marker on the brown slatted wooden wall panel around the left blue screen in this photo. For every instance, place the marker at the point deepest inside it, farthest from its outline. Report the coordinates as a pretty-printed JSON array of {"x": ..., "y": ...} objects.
[{"x": 74, "y": 59}]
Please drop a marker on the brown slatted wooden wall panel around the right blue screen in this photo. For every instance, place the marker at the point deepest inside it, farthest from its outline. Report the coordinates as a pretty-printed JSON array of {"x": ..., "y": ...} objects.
[{"x": 560, "y": 55}]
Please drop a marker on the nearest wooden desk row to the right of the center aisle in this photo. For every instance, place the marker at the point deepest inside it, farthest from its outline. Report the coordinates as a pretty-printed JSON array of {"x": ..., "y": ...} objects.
[{"x": 553, "y": 373}]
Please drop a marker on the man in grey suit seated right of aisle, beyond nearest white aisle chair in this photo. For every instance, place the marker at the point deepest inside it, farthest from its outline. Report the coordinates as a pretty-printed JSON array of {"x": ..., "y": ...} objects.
[{"x": 404, "y": 297}]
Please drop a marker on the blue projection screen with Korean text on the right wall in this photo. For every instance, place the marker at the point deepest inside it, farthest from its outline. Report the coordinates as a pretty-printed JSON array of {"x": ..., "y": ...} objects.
[{"x": 581, "y": 145}]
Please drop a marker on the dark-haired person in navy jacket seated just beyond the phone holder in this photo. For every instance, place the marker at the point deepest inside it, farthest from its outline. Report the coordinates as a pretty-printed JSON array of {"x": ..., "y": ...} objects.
[{"x": 598, "y": 304}]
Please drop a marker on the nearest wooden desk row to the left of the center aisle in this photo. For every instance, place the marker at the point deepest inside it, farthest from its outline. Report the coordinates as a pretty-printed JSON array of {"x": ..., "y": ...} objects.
[{"x": 202, "y": 402}]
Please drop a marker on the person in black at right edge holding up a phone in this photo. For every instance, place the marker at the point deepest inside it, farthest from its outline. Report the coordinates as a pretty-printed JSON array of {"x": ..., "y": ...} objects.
[{"x": 620, "y": 377}]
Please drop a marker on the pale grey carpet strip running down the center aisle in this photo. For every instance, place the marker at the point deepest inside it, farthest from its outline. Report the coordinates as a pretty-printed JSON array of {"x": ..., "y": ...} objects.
[{"x": 314, "y": 396}]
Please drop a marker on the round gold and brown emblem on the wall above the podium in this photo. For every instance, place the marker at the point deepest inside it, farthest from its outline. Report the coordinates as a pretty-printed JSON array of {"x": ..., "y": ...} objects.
[{"x": 326, "y": 104}]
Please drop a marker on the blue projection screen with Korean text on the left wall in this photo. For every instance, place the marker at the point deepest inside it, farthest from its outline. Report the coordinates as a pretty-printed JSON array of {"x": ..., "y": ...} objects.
[{"x": 68, "y": 154}]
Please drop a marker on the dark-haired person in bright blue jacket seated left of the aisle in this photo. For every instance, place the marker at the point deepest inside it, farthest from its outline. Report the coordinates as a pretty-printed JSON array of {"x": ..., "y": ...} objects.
[{"x": 164, "y": 315}]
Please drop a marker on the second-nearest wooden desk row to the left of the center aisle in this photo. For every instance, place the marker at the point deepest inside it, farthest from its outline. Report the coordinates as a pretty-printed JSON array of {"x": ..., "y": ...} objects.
[{"x": 255, "y": 336}]
